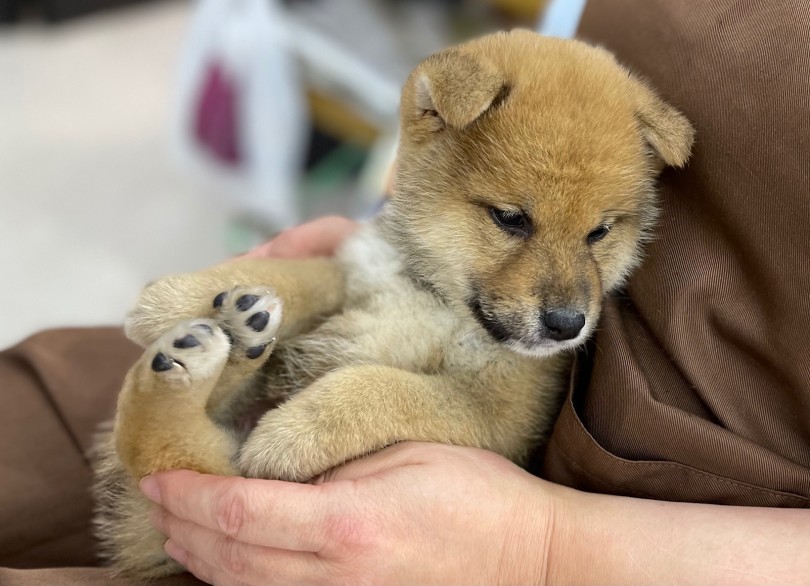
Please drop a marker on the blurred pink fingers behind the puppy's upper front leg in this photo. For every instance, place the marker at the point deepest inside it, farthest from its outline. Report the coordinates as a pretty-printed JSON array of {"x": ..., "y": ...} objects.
[{"x": 320, "y": 237}]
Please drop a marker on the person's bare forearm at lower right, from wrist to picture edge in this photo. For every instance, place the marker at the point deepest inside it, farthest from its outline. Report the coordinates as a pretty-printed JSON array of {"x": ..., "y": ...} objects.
[{"x": 604, "y": 540}]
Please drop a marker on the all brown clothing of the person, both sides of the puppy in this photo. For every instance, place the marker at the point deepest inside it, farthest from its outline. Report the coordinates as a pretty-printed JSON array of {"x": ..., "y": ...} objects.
[{"x": 697, "y": 387}]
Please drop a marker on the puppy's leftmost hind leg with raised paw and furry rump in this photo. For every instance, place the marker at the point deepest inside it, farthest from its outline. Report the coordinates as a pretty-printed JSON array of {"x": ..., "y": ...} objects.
[{"x": 161, "y": 424}]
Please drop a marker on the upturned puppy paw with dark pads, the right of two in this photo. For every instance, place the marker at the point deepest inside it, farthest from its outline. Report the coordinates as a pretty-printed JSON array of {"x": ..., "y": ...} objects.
[{"x": 250, "y": 316}]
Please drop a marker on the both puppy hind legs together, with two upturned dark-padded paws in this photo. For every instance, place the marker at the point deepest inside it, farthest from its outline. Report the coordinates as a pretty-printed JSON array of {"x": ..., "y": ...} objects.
[{"x": 163, "y": 421}]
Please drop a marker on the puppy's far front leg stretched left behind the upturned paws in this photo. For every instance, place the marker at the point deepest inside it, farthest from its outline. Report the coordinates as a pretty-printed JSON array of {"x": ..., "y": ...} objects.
[{"x": 309, "y": 288}]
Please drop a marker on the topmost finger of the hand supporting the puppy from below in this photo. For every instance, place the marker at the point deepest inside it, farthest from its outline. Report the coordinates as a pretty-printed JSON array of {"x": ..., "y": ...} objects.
[{"x": 269, "y": 513}]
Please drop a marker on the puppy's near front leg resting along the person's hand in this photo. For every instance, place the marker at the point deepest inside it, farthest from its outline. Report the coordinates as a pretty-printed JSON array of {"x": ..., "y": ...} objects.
[{"x": 357, "y": 410}]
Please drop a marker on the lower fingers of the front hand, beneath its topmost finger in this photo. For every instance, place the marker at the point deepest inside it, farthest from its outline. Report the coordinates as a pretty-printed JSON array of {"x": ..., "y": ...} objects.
[{"x": 221, "y": 560}]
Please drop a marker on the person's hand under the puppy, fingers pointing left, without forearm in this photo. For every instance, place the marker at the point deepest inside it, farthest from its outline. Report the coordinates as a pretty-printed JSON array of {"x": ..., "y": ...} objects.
[{"x": 411, "y": 514}]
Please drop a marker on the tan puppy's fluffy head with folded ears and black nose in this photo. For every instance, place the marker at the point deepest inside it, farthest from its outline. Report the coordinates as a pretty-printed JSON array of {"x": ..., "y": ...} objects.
[{"x": 524, "y": 184}]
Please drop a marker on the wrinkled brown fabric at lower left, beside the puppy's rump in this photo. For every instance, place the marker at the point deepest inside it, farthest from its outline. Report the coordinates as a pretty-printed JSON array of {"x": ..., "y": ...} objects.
[{"x": 55, "y": 388}]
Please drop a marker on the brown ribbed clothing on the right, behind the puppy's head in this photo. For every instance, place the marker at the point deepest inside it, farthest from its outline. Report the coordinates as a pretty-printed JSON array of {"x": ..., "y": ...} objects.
[{"x": 697, "y": 387}]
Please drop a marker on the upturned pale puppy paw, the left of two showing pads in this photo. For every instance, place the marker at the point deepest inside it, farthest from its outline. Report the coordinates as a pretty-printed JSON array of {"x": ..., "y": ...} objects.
[{"x": 191, "y": 352}]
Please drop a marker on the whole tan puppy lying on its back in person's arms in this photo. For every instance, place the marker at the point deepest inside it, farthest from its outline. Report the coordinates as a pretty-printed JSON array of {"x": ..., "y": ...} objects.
[{"x": 523, "y": 190}]
